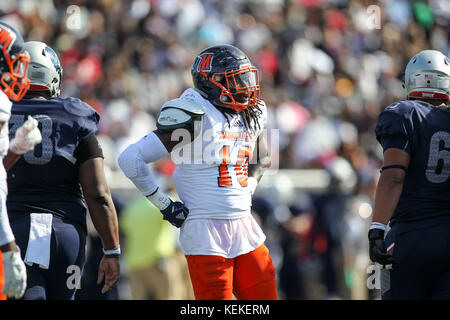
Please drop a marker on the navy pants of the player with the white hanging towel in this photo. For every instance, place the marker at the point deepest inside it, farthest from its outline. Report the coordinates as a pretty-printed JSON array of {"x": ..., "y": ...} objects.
[{"x": 67, "y": 252}]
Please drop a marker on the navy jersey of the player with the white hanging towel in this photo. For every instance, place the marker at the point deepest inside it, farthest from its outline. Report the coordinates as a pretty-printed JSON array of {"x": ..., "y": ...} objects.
[{"x": 45, "y": 180}]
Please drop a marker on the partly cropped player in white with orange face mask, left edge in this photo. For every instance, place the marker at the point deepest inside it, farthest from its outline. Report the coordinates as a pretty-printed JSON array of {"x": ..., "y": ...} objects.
[{"x": 13, "y": 85}]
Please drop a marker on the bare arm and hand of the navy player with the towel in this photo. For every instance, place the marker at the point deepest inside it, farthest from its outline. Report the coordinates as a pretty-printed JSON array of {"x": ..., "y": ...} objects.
[{"x": 104, "y": 217}]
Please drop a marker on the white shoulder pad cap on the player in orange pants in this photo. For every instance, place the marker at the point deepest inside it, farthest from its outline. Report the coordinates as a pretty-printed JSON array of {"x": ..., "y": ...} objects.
[{"x": 179, "y": 113}]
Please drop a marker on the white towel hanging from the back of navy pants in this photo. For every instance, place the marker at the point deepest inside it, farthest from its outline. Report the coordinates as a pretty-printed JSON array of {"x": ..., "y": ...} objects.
[{"x": 38, "y": 250}]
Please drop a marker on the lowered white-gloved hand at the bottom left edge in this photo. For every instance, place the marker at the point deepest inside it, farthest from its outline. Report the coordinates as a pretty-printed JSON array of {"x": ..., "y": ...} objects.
[{"x": 15, "y": 275}]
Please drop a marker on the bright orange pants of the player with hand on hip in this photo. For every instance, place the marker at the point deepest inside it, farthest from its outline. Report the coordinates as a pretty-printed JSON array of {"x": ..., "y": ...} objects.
[{"x": 250, "y": 276}]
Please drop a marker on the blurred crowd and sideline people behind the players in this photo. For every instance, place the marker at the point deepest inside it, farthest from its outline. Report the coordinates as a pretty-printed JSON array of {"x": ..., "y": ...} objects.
[{"x": 327, "y": 68}]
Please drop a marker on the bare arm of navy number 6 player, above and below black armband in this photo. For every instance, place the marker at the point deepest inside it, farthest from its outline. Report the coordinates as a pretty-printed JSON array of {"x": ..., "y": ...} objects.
[{"x": 390, "y": 185}]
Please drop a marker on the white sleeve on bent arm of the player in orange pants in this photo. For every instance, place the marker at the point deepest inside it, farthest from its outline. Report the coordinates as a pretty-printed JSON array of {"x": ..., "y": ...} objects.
[{"x": 133, "y": 162}]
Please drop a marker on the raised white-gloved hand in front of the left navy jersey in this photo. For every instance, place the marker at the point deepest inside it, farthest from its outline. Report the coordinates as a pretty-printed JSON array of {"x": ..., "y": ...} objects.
[{"x": 26, "y": 137}]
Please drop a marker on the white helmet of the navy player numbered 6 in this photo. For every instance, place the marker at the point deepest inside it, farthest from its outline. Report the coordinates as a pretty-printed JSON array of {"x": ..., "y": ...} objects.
[{"x": 427, "y": 76}]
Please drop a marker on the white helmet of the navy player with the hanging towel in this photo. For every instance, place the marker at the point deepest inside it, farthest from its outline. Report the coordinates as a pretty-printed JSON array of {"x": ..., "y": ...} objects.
[{"x": 45, "y": 71}]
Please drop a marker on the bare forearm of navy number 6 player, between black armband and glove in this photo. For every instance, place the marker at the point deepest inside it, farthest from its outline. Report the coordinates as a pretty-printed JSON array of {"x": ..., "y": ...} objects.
[{"x": 387, "y": 195}]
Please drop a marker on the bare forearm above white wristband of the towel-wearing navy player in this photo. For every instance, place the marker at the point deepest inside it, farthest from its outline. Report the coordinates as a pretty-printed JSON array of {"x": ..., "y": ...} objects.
[{"x": 104, "y": 218}]
